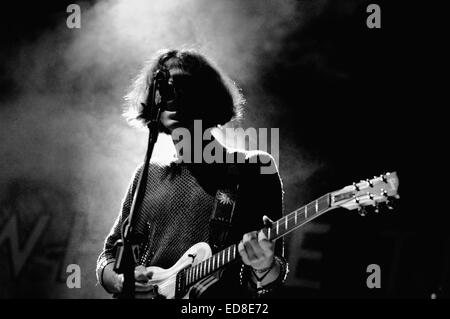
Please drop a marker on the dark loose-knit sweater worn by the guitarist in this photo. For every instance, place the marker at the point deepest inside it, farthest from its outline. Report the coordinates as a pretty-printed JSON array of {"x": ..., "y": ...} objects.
[{"x": 177, "y": 207}]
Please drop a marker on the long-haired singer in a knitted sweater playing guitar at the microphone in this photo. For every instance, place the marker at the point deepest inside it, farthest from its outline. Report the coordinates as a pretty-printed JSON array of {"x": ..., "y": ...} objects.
[{"x": 181, "y": 194}]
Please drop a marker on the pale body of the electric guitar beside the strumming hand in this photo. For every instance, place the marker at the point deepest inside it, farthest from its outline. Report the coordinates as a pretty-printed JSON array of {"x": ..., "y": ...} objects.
[{"x": 165, "y": 279}]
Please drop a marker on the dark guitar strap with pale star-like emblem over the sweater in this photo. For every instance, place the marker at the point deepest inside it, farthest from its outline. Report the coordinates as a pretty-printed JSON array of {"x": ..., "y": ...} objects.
[{"x": 222, "y": 214}]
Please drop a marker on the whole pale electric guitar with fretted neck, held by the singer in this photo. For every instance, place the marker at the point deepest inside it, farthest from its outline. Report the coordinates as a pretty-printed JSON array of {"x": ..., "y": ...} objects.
[{"x": 198, "y": 262}]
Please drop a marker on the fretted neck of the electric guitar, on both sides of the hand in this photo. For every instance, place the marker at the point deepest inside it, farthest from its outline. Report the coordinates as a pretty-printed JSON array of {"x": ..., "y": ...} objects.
[{"x": 280, "y": 228}]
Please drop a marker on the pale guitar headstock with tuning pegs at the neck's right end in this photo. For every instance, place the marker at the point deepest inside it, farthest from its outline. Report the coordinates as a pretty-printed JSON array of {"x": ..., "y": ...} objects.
[{"x": 371, "y": 192}]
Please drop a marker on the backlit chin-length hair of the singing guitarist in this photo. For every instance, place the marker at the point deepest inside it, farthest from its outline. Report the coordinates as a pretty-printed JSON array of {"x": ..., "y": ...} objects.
[{"x": 217, "y": 98}]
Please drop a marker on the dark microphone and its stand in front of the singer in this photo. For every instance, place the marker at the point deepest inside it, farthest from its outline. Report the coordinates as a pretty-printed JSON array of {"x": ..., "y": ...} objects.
[{"x": 128, "y": 246}]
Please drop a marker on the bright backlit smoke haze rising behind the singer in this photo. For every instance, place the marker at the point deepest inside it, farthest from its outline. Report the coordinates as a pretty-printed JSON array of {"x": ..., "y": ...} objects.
[{"x": 64, "y": 126}]
